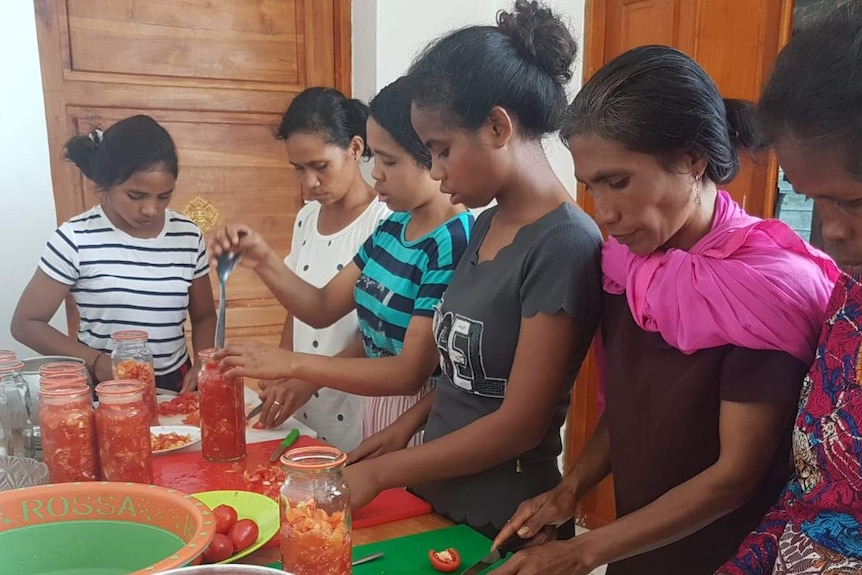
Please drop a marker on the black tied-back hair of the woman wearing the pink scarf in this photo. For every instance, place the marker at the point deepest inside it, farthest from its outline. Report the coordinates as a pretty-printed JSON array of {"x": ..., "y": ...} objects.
[{"x": 656, "y": 100}]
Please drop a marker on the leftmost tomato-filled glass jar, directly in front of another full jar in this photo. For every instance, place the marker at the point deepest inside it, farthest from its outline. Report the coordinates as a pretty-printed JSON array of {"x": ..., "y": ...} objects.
[{"x": 68, "y": 423}]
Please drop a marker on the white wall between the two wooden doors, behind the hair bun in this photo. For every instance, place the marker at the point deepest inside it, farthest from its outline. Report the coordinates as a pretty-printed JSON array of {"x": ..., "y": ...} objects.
[{"x": 400, "y": 29}]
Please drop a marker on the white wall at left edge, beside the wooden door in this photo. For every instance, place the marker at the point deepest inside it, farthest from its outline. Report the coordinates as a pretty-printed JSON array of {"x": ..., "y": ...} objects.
[{"x": 26, "y": 196}]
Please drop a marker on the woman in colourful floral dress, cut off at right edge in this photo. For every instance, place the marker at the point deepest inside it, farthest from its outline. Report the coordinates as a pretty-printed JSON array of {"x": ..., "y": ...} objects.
[{"x": 812, "y": 108}]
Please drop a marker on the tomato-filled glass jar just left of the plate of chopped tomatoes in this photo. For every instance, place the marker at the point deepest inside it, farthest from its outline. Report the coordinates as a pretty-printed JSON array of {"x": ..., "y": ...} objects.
[{"x": 123, "y": 432}]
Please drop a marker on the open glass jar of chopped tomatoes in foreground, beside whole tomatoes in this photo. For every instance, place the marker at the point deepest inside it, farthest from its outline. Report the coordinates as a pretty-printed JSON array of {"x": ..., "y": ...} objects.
[{"x": 315, "y": 512}]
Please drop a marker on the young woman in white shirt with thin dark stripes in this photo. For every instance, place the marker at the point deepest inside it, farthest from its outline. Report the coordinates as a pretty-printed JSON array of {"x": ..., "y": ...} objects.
[{"x": 129, "y": 262}]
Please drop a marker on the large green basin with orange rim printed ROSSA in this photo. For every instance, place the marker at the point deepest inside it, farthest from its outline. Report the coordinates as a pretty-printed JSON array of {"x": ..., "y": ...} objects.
[{"x": 101, "y": 527}]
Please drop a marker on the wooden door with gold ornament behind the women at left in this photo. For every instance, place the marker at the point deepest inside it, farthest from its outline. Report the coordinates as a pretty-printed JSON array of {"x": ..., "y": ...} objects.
[{"x": 217, "y": 74}]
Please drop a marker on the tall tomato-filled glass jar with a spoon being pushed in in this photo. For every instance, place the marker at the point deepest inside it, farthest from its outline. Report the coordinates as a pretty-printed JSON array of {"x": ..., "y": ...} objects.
[{"x": 222, "y": 407}]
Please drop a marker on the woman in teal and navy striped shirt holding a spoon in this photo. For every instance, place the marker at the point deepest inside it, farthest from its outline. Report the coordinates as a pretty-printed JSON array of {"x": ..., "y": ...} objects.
[{"x": 394, "y": 282}]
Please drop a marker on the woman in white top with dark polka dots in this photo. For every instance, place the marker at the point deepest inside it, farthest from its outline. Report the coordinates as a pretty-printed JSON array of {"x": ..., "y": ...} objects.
[{"x": 324, "y": 133}]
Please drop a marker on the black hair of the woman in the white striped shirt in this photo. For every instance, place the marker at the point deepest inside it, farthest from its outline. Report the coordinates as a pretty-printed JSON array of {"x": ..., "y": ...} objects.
[{"x": 135, "y": 144}]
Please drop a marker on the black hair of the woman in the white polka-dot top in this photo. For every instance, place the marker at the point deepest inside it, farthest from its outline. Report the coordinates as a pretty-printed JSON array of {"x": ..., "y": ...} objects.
[{"x": 328, "y": 113}]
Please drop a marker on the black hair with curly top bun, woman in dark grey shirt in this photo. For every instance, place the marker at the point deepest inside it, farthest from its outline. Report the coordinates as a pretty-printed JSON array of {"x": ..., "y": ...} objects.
[{"x": 522, "y": 65}]
